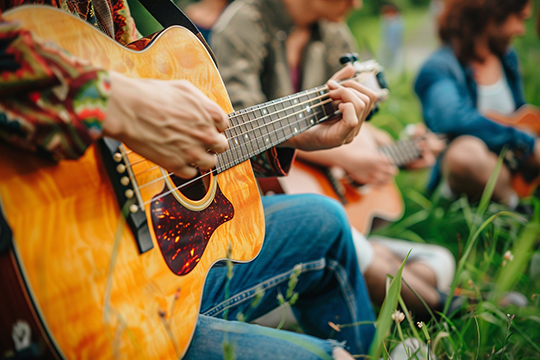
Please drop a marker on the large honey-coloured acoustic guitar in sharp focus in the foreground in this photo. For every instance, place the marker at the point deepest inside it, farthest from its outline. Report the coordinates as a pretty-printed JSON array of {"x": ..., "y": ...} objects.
[{"x": 106, "y": 257}]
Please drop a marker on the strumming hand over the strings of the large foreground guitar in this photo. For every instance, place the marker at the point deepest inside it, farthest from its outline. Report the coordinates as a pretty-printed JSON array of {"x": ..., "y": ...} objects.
[{"x": 176, "y": 126}]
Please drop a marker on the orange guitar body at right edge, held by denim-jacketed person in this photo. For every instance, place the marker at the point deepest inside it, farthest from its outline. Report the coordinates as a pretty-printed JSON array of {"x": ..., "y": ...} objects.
[{"x": 526, "y": 118}]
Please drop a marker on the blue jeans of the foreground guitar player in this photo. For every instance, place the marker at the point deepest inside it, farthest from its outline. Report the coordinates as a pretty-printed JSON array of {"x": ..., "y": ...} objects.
[{"x": 307, "y": 235}]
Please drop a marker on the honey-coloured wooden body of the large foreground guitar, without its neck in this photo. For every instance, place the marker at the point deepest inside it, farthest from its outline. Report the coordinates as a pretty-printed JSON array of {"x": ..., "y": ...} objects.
[{"x": 81, "y": 275}]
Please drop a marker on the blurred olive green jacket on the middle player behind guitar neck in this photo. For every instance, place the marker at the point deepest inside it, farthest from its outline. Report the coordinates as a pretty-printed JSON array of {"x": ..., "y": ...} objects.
[{"x": 249, "y": 43}]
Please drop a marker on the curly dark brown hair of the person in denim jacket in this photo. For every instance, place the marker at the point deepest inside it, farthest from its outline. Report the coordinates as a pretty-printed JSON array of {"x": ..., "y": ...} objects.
[{"x": 463, "y": 21}]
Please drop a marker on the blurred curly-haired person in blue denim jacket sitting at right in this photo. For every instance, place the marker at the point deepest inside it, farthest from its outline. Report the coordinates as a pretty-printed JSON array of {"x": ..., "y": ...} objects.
[{"x": 466, "y": 87}]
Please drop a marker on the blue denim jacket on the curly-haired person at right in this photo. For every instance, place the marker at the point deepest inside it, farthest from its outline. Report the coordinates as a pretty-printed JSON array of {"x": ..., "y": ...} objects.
[{"x": 448, "y": 94}]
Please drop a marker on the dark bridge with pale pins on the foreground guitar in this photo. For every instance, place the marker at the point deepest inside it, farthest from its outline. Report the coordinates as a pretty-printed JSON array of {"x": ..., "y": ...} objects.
[{"x": 127, "y": 195}]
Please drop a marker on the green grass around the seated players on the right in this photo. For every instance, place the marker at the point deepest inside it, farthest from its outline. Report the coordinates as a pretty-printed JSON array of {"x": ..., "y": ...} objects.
[{"x": 479, "y": 234}]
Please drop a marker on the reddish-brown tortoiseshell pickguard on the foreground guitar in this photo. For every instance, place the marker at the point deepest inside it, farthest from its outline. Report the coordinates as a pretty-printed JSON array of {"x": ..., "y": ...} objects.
[{"x": 182, "y": 233}]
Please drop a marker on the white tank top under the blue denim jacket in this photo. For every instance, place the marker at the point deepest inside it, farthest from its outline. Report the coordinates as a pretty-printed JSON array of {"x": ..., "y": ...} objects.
[{"x": 496, "y": 98}]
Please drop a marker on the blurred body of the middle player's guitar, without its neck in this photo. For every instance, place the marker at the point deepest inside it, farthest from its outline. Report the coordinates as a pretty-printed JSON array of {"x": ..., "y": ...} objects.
[{"x": 363, "y": 204}]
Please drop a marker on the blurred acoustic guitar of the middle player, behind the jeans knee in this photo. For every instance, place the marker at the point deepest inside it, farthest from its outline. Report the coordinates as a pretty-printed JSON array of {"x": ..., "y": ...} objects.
[{"x": 363, "y": 203}]
